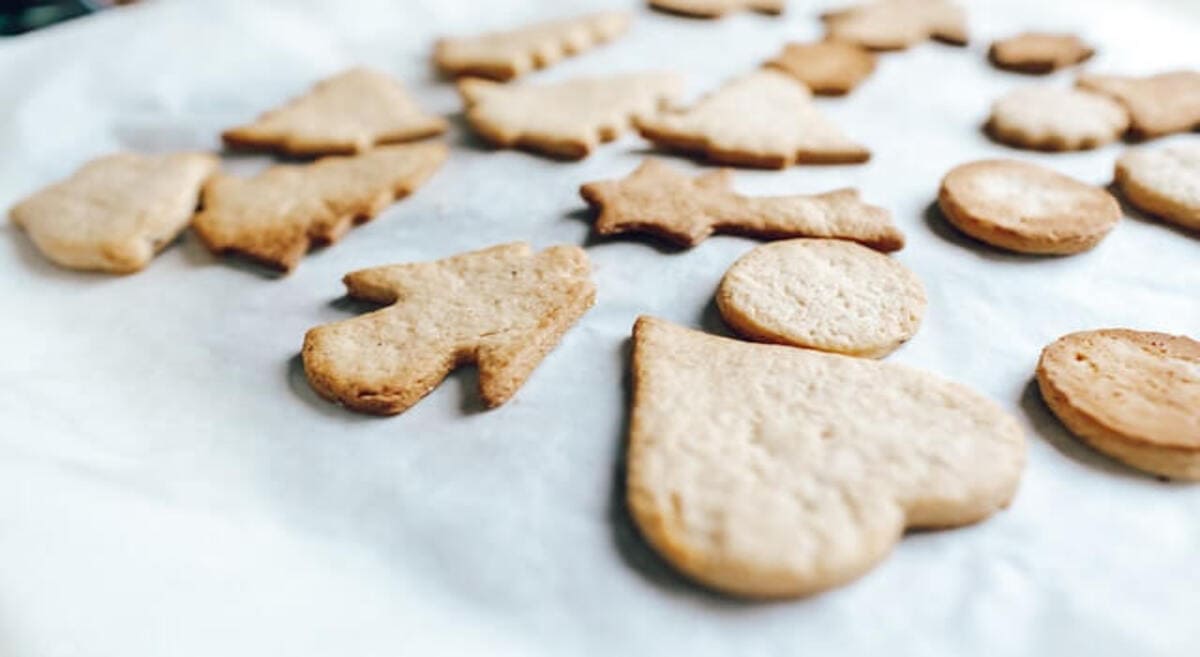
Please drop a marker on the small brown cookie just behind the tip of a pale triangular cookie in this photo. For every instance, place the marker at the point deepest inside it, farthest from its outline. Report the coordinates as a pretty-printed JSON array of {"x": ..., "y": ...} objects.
[{"x": 826, "y": 68}]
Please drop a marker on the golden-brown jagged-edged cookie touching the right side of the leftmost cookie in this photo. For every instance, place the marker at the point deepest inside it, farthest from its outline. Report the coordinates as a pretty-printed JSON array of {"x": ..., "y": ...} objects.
[{"x": 277, "y": 216}]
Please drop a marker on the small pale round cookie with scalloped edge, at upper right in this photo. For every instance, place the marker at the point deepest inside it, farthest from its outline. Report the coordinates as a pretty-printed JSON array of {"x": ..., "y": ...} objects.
[{"x": 1051, "y": 119}]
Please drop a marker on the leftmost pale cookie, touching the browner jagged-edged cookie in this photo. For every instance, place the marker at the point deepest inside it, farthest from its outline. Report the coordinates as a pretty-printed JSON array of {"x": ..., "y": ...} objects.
[{"x": 116, "y": 213}]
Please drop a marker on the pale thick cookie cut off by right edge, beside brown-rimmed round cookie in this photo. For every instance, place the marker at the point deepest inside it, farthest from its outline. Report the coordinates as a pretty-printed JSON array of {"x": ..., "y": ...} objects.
[{"x": 1163, "y": 182}]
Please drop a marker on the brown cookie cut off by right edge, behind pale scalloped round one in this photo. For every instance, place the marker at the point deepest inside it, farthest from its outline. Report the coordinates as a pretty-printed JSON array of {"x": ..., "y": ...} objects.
[{"x": 1160, "y": 105}]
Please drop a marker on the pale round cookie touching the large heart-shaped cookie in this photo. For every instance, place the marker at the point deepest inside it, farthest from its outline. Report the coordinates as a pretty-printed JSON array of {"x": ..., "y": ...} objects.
[{"x": 831, "y": 296}]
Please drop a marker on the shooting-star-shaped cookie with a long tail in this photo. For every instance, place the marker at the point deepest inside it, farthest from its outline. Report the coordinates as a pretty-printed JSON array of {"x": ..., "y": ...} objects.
[{"x": 659, "y": 201}]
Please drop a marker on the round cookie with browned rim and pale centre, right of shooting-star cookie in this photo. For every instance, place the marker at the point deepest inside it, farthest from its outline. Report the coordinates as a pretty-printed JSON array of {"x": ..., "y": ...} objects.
[{"x": 1025, "y": 208}]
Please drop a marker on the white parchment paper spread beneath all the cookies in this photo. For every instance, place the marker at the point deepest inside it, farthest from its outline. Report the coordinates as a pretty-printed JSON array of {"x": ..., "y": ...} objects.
[{"x": 171, "y": 486}]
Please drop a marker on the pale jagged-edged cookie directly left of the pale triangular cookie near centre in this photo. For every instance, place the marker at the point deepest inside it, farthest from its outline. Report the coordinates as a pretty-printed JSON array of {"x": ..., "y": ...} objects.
[{"x": 566, "y": 119}]
